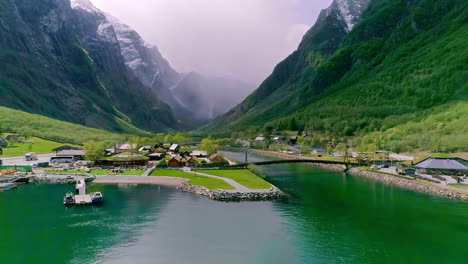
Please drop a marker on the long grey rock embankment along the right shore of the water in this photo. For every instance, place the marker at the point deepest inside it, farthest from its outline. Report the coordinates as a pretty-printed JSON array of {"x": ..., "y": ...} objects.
[{"x": 407, "y": 184}]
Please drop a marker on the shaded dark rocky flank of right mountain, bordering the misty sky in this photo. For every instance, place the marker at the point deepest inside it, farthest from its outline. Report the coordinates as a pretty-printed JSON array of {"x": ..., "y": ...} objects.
[{"x": 319, "y": 43}]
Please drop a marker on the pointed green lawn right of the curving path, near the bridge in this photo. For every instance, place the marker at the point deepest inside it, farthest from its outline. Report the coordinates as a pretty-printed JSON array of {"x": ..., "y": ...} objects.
[{"x": 243, "y": 177}]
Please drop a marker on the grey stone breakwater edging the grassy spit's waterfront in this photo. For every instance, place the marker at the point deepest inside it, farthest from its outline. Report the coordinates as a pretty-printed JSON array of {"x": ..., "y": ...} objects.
[{"x": 221, "y": 195}]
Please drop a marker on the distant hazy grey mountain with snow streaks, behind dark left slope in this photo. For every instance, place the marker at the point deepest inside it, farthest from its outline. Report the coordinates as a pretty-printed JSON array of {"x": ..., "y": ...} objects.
[{"x": 194, "y": 98}]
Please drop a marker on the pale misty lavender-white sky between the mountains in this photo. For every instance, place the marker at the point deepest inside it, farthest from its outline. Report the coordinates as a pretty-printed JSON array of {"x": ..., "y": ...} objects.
[{"x": 243, "y": 39}]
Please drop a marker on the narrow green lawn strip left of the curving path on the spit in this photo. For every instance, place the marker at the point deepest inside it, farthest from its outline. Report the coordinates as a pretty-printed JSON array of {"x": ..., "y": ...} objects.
[{"x": 207, "y": 182}]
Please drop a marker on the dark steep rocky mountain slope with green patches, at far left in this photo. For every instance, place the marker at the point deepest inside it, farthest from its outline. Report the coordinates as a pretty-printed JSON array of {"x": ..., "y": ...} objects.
[{"x": 53, "y": 64}]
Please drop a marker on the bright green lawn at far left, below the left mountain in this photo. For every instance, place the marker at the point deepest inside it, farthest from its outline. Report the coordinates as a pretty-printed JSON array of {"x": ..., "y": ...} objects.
[{"x": 39, "y": 145}]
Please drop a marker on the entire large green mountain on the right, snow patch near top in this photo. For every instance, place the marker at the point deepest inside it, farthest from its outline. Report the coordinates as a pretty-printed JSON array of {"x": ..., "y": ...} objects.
[{"x": 377, "y": 69}]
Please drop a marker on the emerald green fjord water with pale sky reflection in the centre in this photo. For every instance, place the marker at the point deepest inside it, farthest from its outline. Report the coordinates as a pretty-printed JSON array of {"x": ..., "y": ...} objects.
[{"x": 329, "y": 218}]
